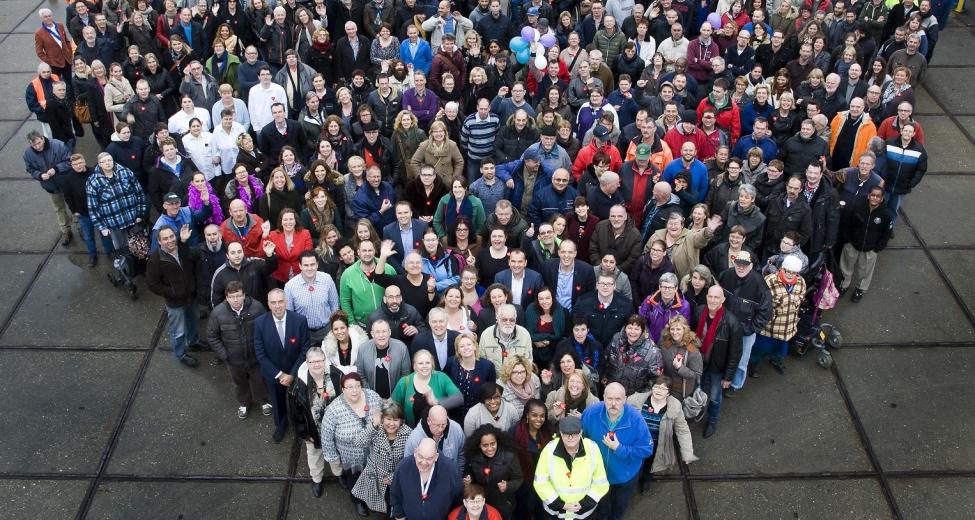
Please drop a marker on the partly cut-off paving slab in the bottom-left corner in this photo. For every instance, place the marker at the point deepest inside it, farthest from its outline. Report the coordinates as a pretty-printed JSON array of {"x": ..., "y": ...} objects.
[{"x": 28, "y": 499}]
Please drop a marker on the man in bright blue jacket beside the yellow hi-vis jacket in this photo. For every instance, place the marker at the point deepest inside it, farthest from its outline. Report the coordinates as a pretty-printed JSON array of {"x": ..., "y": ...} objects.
[{"x": 624, "y": 441}]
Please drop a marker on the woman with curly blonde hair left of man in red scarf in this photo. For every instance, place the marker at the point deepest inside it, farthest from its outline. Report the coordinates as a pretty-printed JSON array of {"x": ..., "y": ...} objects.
[{"x": 682, "y": 359}]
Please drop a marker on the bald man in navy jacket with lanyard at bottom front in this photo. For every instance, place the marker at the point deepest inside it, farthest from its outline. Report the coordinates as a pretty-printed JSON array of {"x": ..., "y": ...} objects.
[{"x": 425, "y": 484}]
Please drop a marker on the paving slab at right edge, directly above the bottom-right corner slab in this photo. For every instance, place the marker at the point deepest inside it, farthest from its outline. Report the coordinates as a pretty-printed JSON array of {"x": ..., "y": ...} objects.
[{"x": 884, "y": 384}]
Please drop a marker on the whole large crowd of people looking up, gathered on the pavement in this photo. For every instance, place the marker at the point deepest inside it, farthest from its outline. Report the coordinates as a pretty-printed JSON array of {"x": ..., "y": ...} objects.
[{"x": 427, "y": 237}]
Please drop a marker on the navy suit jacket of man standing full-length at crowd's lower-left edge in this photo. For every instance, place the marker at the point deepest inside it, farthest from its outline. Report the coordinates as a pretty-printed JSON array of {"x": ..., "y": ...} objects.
[{"x": 271, "y": 354}]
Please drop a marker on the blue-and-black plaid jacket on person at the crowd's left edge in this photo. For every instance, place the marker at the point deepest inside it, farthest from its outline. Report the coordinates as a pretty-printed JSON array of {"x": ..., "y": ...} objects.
[{"x": 115, "y": 203}]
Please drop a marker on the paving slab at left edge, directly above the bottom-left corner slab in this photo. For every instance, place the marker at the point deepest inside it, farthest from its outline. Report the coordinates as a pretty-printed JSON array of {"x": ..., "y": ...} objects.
[{"x": 59, "y": 408}]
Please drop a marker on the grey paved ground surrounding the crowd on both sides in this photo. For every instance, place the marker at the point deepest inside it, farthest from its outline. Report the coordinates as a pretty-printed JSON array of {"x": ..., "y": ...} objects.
[{"x": 98, "y": 422}]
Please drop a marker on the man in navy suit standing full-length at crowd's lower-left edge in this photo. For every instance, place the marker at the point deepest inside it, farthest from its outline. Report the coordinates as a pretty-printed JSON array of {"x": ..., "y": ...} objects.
[{"x": 281, "y": 339}]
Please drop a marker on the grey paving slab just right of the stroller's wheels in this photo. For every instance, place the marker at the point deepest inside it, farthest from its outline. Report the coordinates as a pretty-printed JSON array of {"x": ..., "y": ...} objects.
[{"x": 905, "y": 295}]
